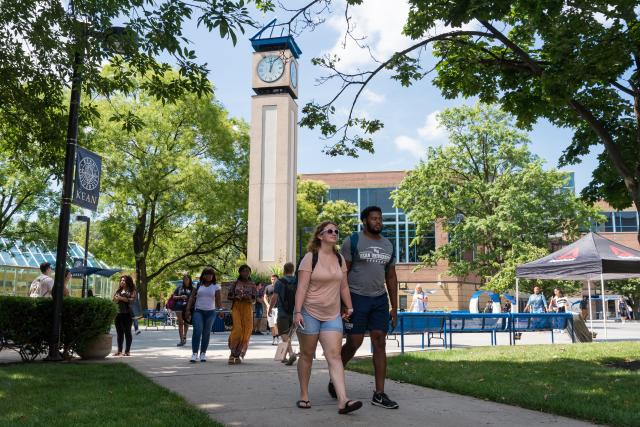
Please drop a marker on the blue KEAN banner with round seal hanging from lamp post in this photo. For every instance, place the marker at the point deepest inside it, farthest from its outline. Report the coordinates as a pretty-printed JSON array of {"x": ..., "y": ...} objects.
[{"x": 86, "y": 188}]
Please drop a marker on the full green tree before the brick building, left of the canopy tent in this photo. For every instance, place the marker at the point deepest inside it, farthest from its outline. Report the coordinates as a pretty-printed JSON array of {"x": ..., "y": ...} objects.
[{"x": 497, "y": 204}]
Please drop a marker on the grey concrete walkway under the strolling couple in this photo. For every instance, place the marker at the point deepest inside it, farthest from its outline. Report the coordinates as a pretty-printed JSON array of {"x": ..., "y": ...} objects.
[{"x": 262, "y": 392}]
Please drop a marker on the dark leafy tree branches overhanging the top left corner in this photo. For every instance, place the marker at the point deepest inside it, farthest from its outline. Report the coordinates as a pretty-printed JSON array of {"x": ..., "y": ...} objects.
[{"x": 38, "y": 40}]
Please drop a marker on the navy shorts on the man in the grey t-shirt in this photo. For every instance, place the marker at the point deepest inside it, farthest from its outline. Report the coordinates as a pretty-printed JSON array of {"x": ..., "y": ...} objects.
[{"x": 369, "y": 314}]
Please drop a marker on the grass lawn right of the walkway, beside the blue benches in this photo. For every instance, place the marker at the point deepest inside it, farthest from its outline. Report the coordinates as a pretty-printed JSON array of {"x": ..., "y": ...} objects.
[{"x": 569, "y": 380}]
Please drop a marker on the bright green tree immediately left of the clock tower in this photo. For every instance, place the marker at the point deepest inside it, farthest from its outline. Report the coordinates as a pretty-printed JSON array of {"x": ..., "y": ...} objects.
[{"x": 175, "y": 190}]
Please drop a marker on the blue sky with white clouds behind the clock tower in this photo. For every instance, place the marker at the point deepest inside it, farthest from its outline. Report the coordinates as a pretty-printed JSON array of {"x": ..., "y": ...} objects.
[{"x": 409, "y": 114}]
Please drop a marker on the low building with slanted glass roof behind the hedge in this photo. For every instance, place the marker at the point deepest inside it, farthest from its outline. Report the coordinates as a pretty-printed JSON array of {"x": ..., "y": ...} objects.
[{"x": 20, "y": 265}]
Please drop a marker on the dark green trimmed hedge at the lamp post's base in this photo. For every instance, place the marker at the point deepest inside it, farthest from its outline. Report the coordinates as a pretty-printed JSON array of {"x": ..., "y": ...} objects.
[{"x": 25, "y": 323}]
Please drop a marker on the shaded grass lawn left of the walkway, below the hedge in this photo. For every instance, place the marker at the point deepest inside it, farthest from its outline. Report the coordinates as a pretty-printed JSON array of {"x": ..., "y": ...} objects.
[{"x": 79, "y": 394}]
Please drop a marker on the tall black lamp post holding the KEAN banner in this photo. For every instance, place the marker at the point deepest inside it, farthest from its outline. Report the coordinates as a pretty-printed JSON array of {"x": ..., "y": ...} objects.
[{"x": 67, "y": 185}]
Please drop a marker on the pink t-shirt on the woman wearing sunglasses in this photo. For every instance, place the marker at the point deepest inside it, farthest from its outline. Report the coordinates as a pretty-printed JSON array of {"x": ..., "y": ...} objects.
[{"x": 322, "y": 300}]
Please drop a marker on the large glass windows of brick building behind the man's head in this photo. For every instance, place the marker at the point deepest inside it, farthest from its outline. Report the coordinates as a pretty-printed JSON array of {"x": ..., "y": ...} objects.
[{"x": 396, "y": 227}]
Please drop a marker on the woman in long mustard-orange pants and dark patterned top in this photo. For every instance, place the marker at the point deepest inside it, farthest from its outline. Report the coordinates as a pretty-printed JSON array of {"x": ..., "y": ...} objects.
[{"x": 242, "y": 293}]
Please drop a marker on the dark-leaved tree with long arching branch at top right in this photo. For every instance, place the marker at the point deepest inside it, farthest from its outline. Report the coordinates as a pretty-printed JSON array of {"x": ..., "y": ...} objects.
[{"x": 576, "y": 64}]
